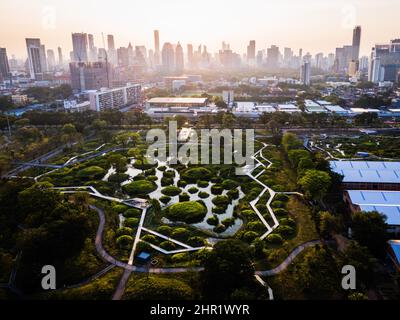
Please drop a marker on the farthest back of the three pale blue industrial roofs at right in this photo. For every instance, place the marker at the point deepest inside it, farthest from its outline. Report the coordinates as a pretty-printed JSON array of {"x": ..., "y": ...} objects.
[{"x": 367, "y": 171}]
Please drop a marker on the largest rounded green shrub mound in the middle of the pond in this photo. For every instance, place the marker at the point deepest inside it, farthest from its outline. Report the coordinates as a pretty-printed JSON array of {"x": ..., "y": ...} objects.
[{"x": 189, "y": 212}]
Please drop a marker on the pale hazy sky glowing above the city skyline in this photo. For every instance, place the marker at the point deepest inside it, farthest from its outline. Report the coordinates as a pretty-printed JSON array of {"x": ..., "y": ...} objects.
[{"x": 314, "y": 25}]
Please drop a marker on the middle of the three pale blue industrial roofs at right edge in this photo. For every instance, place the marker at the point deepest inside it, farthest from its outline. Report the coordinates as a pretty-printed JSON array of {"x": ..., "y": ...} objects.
[{"x": 386, "y": 202}]
